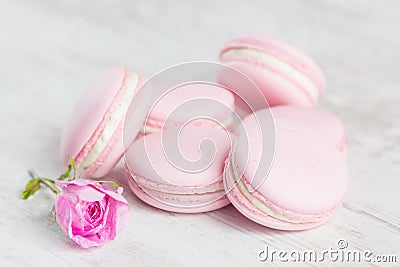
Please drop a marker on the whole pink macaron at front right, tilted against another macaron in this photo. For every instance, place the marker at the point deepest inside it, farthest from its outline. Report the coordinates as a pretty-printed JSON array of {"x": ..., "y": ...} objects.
[{"x": 301, "y": 188}]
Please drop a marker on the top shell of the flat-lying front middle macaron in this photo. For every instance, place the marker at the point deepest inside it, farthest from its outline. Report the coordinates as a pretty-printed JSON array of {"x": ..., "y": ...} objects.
[{"x": 195, "y": 159}]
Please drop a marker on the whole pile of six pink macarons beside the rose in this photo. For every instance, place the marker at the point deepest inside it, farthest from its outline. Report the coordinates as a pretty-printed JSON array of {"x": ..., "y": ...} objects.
[{"x": 282, "y": 166}]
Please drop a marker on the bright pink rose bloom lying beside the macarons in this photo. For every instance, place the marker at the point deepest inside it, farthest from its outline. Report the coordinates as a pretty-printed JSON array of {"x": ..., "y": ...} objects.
[{"x": 89, "y": 212}]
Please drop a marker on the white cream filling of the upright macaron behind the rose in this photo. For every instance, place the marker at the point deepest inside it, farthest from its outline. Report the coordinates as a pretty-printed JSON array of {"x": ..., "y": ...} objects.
[{"x": 112, "y": 123}]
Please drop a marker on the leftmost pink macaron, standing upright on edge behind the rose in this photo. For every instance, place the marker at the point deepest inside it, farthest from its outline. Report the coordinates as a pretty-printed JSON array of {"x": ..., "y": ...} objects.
[{"x": 93, "y": 134}]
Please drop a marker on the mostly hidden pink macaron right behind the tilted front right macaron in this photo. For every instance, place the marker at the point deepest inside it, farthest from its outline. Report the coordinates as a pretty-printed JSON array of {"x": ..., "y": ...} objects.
[{"x": 322, "y": 120}]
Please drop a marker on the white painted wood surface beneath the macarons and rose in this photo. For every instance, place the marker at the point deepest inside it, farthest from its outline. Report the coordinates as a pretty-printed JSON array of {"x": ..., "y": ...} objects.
[{"x": 51, "y": 50}]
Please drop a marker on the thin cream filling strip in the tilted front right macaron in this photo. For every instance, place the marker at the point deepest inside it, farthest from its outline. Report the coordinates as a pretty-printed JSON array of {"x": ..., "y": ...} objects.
[{"x": 256, "y": 202}]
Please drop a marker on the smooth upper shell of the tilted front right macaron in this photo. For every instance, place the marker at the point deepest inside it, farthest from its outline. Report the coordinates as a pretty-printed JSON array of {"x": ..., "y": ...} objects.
[{"x": 308, "y": 174}]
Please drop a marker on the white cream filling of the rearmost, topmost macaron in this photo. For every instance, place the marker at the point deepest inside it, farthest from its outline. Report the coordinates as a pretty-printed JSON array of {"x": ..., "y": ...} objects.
[{"x": 276, "y": 64}]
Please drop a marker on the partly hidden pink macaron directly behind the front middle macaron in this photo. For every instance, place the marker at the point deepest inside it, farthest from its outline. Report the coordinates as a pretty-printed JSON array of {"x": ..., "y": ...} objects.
[{"x": 196, "y": 103}]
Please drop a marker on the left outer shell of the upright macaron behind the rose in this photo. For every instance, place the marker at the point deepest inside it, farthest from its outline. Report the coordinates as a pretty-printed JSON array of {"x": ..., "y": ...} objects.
[{"x": 89, "y": 112}]
